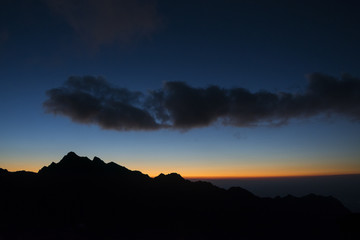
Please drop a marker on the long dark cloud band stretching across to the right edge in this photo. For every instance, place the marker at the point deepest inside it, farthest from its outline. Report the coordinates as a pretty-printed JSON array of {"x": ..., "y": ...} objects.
[{"x": 179, "y": 106}]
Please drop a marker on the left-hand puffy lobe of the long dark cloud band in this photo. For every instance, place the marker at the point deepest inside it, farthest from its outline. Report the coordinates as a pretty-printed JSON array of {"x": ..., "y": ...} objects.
[{"x": 92, "y": 100}]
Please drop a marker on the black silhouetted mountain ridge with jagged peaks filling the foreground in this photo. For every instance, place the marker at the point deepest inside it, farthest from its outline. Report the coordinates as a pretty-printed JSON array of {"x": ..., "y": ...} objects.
[{"x": 79, "y": 198}]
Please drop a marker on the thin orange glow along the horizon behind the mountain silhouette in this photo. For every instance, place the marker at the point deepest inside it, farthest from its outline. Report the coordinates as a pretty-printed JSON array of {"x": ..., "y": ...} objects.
[{"x": 217, "y": 170}]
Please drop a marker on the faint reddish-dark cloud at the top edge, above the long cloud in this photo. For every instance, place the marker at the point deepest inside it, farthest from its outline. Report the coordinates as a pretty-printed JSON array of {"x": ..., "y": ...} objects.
[{"x": 107, "y": 21}]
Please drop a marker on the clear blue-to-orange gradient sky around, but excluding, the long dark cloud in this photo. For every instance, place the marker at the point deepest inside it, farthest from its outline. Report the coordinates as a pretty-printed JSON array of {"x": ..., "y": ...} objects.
[{"x": 272, "y": 46}]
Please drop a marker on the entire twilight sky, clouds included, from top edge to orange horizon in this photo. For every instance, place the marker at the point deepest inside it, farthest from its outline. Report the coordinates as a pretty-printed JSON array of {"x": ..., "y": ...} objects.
[{"x": 201, "y": 88}]
